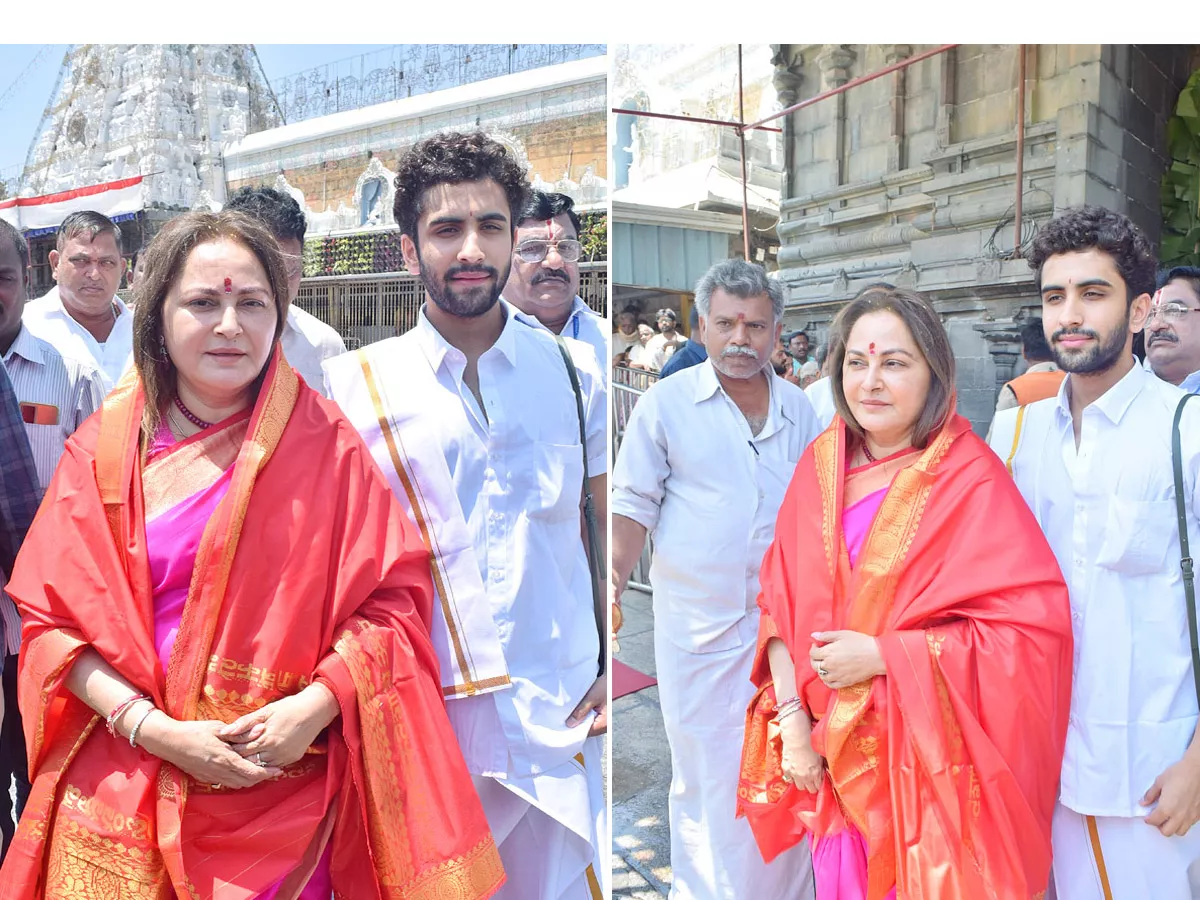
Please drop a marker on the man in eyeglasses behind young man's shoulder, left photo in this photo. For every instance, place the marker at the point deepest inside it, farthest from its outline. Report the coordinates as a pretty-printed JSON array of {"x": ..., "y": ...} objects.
[{"x": 544, "y": 284}]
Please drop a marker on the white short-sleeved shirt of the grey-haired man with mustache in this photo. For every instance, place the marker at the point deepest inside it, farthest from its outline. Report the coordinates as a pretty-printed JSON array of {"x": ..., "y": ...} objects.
[{"x": 710, "y": 491}]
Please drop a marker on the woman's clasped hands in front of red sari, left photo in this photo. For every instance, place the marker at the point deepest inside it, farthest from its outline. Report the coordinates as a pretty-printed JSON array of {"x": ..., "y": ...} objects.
[{"x": 248, "y": 752}]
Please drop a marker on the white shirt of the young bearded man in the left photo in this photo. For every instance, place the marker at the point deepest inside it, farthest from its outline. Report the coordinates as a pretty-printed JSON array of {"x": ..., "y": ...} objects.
[{"x": 519, "y": 477}]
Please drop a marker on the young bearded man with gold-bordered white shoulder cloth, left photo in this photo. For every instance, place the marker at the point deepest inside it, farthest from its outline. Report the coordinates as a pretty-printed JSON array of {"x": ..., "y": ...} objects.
[{"x": 473, "y": 418}]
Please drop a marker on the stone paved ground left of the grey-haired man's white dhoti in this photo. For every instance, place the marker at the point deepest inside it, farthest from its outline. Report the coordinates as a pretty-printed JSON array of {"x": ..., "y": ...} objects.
[{"x": 641, "y": 770}]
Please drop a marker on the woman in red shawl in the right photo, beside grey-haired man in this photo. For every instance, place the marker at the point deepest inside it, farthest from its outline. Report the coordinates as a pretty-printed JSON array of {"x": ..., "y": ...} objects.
[{"x": 915, "y": 655}]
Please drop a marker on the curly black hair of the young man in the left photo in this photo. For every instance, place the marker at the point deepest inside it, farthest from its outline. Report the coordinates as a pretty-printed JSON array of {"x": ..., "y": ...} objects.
[{"x": 455, "y": 158}]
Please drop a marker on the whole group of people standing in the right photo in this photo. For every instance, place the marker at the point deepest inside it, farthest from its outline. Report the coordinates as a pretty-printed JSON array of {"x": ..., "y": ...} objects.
[{"x": 897, "y": 661}]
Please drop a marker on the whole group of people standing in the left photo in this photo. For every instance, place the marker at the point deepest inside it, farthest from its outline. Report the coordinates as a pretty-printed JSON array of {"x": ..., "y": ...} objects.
[{"x": 287, "y": 622}]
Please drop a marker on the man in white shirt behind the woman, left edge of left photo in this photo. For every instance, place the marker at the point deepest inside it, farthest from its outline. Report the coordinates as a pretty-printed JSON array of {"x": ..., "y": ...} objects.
[{"x": 82, "y": 316}]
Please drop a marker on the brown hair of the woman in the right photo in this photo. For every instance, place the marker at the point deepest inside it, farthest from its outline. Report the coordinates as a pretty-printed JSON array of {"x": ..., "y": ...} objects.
[{"x": 928, "y": 334}]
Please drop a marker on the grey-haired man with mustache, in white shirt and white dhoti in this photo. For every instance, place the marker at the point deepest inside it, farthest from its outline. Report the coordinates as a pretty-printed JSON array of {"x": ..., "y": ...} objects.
[{"x": 704, "y": 465}]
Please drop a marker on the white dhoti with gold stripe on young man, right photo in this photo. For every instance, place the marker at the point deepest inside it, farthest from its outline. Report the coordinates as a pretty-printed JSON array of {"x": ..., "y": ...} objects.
[{"x": 1136, "y": 859}]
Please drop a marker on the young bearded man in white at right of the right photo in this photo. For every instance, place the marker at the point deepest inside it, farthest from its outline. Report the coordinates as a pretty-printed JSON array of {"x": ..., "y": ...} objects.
[{"x": 1095, "y": 466}]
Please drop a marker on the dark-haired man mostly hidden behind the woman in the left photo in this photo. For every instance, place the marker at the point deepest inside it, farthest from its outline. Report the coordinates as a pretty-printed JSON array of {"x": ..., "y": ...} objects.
[{"x": 307, "y": 340}]
